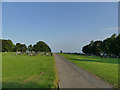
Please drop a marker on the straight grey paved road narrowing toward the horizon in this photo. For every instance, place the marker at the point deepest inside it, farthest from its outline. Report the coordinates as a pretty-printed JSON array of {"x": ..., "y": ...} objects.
[{"x": 72, "y": 76}]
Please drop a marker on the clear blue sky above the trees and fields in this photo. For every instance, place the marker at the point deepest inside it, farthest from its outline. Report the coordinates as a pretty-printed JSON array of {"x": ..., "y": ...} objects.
[{"x": 66, "y": 26}]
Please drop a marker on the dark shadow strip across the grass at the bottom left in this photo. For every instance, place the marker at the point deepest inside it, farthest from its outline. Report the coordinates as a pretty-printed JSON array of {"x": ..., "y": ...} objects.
[{"x": 7, "y": 85}]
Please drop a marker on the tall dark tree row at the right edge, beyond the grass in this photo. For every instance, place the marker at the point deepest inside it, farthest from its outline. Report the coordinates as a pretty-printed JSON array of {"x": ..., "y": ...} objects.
[{"x": 108, "y": 47}]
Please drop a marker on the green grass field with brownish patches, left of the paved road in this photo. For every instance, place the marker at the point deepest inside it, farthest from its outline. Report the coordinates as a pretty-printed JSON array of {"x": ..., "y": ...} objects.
[{"x": 24, "y": 71}]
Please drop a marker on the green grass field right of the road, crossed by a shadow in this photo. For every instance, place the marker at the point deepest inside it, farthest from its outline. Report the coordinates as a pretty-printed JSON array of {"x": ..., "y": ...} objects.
[{"x": 105, "y": 68}]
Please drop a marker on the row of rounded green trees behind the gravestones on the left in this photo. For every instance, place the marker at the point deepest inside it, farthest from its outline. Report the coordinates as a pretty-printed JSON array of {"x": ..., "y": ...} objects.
[{"x": 7, "y": 45}]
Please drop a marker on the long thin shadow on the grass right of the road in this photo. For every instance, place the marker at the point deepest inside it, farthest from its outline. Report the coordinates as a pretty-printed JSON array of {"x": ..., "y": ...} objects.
[{"x": 100, "y": 61}]
